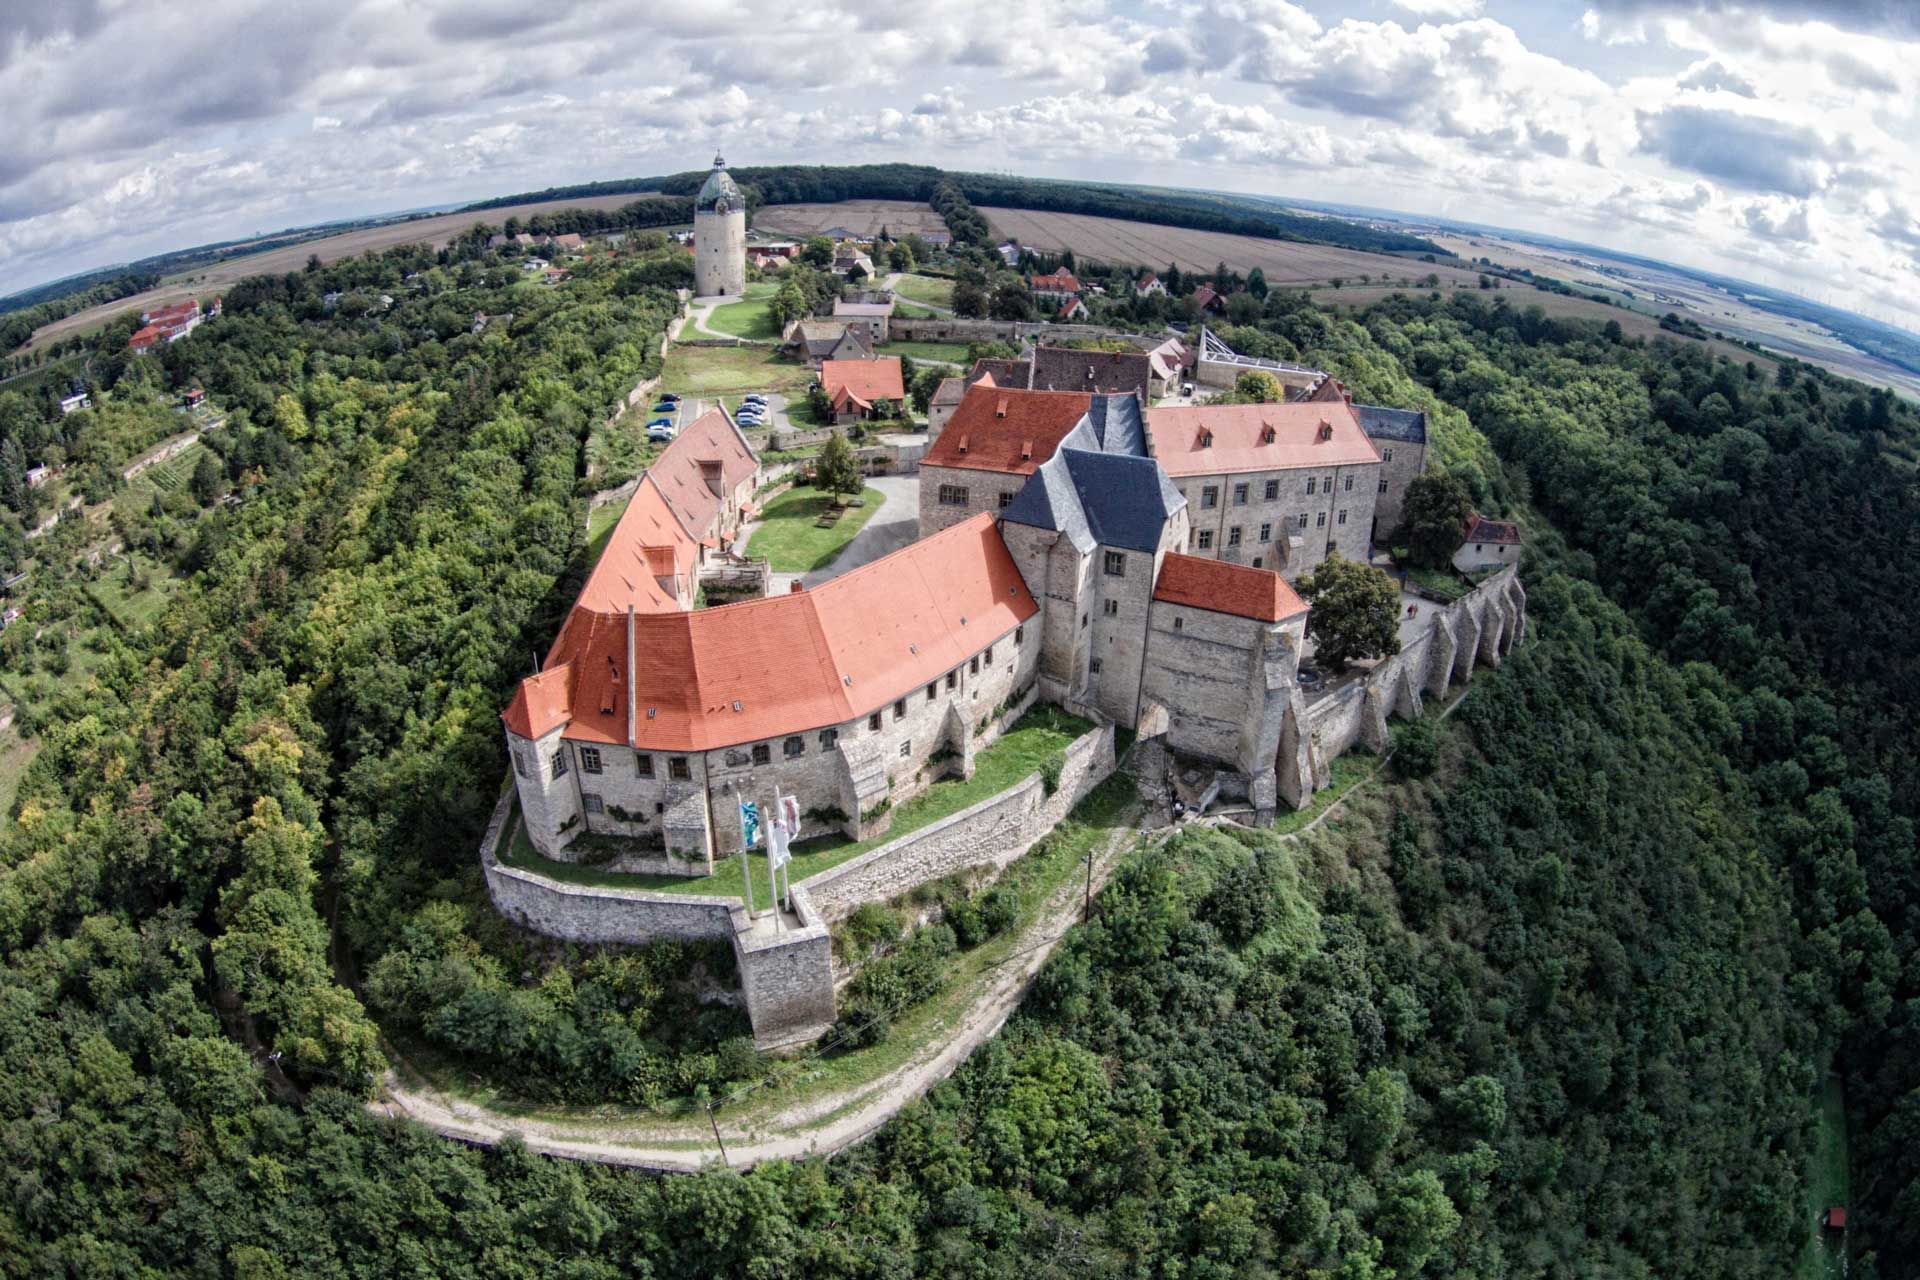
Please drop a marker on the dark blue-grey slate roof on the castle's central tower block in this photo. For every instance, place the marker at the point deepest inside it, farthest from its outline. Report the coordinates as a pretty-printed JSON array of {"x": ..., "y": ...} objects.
[{"x": 1099, "y": 500}]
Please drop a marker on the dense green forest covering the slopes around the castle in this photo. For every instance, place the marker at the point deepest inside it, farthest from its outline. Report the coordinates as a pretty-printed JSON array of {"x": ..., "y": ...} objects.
[{"x": 1554, "y": 1008}]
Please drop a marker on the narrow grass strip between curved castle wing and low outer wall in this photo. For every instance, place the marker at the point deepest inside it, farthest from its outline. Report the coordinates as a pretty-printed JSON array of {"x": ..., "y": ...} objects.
[{"x": 1040, "y": 738}]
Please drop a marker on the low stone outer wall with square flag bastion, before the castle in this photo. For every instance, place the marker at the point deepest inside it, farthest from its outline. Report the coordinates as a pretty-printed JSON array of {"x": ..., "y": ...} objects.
[{"x": 788, "y": 972}]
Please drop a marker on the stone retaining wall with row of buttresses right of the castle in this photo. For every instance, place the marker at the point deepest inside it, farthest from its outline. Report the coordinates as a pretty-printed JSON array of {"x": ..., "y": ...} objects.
[{"x": 1479, "y": 628}]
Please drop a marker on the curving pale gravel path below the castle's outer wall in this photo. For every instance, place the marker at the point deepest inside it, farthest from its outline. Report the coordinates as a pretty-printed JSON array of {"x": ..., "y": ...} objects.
[{"x": 815, "y": 1127}]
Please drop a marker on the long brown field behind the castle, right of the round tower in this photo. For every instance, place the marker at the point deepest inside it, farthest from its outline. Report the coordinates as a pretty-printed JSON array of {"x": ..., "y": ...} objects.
[{"x": 1284, "y": 262}]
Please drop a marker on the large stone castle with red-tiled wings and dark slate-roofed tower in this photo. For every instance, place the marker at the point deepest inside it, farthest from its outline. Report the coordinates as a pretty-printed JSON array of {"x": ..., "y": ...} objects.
[{"x": 1076, "y": 548}]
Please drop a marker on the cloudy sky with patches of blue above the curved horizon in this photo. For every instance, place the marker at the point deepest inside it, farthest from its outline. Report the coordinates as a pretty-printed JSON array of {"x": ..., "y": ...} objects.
[{"x": 1777, "y": 141}]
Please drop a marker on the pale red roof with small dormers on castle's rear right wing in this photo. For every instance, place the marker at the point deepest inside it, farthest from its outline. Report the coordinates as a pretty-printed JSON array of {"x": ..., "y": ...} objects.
[{"x": 1214, "y": 440}]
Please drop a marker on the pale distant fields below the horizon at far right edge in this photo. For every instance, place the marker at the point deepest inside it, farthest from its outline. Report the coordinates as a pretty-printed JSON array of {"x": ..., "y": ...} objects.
[{"x": 1658, "y": 293}]
